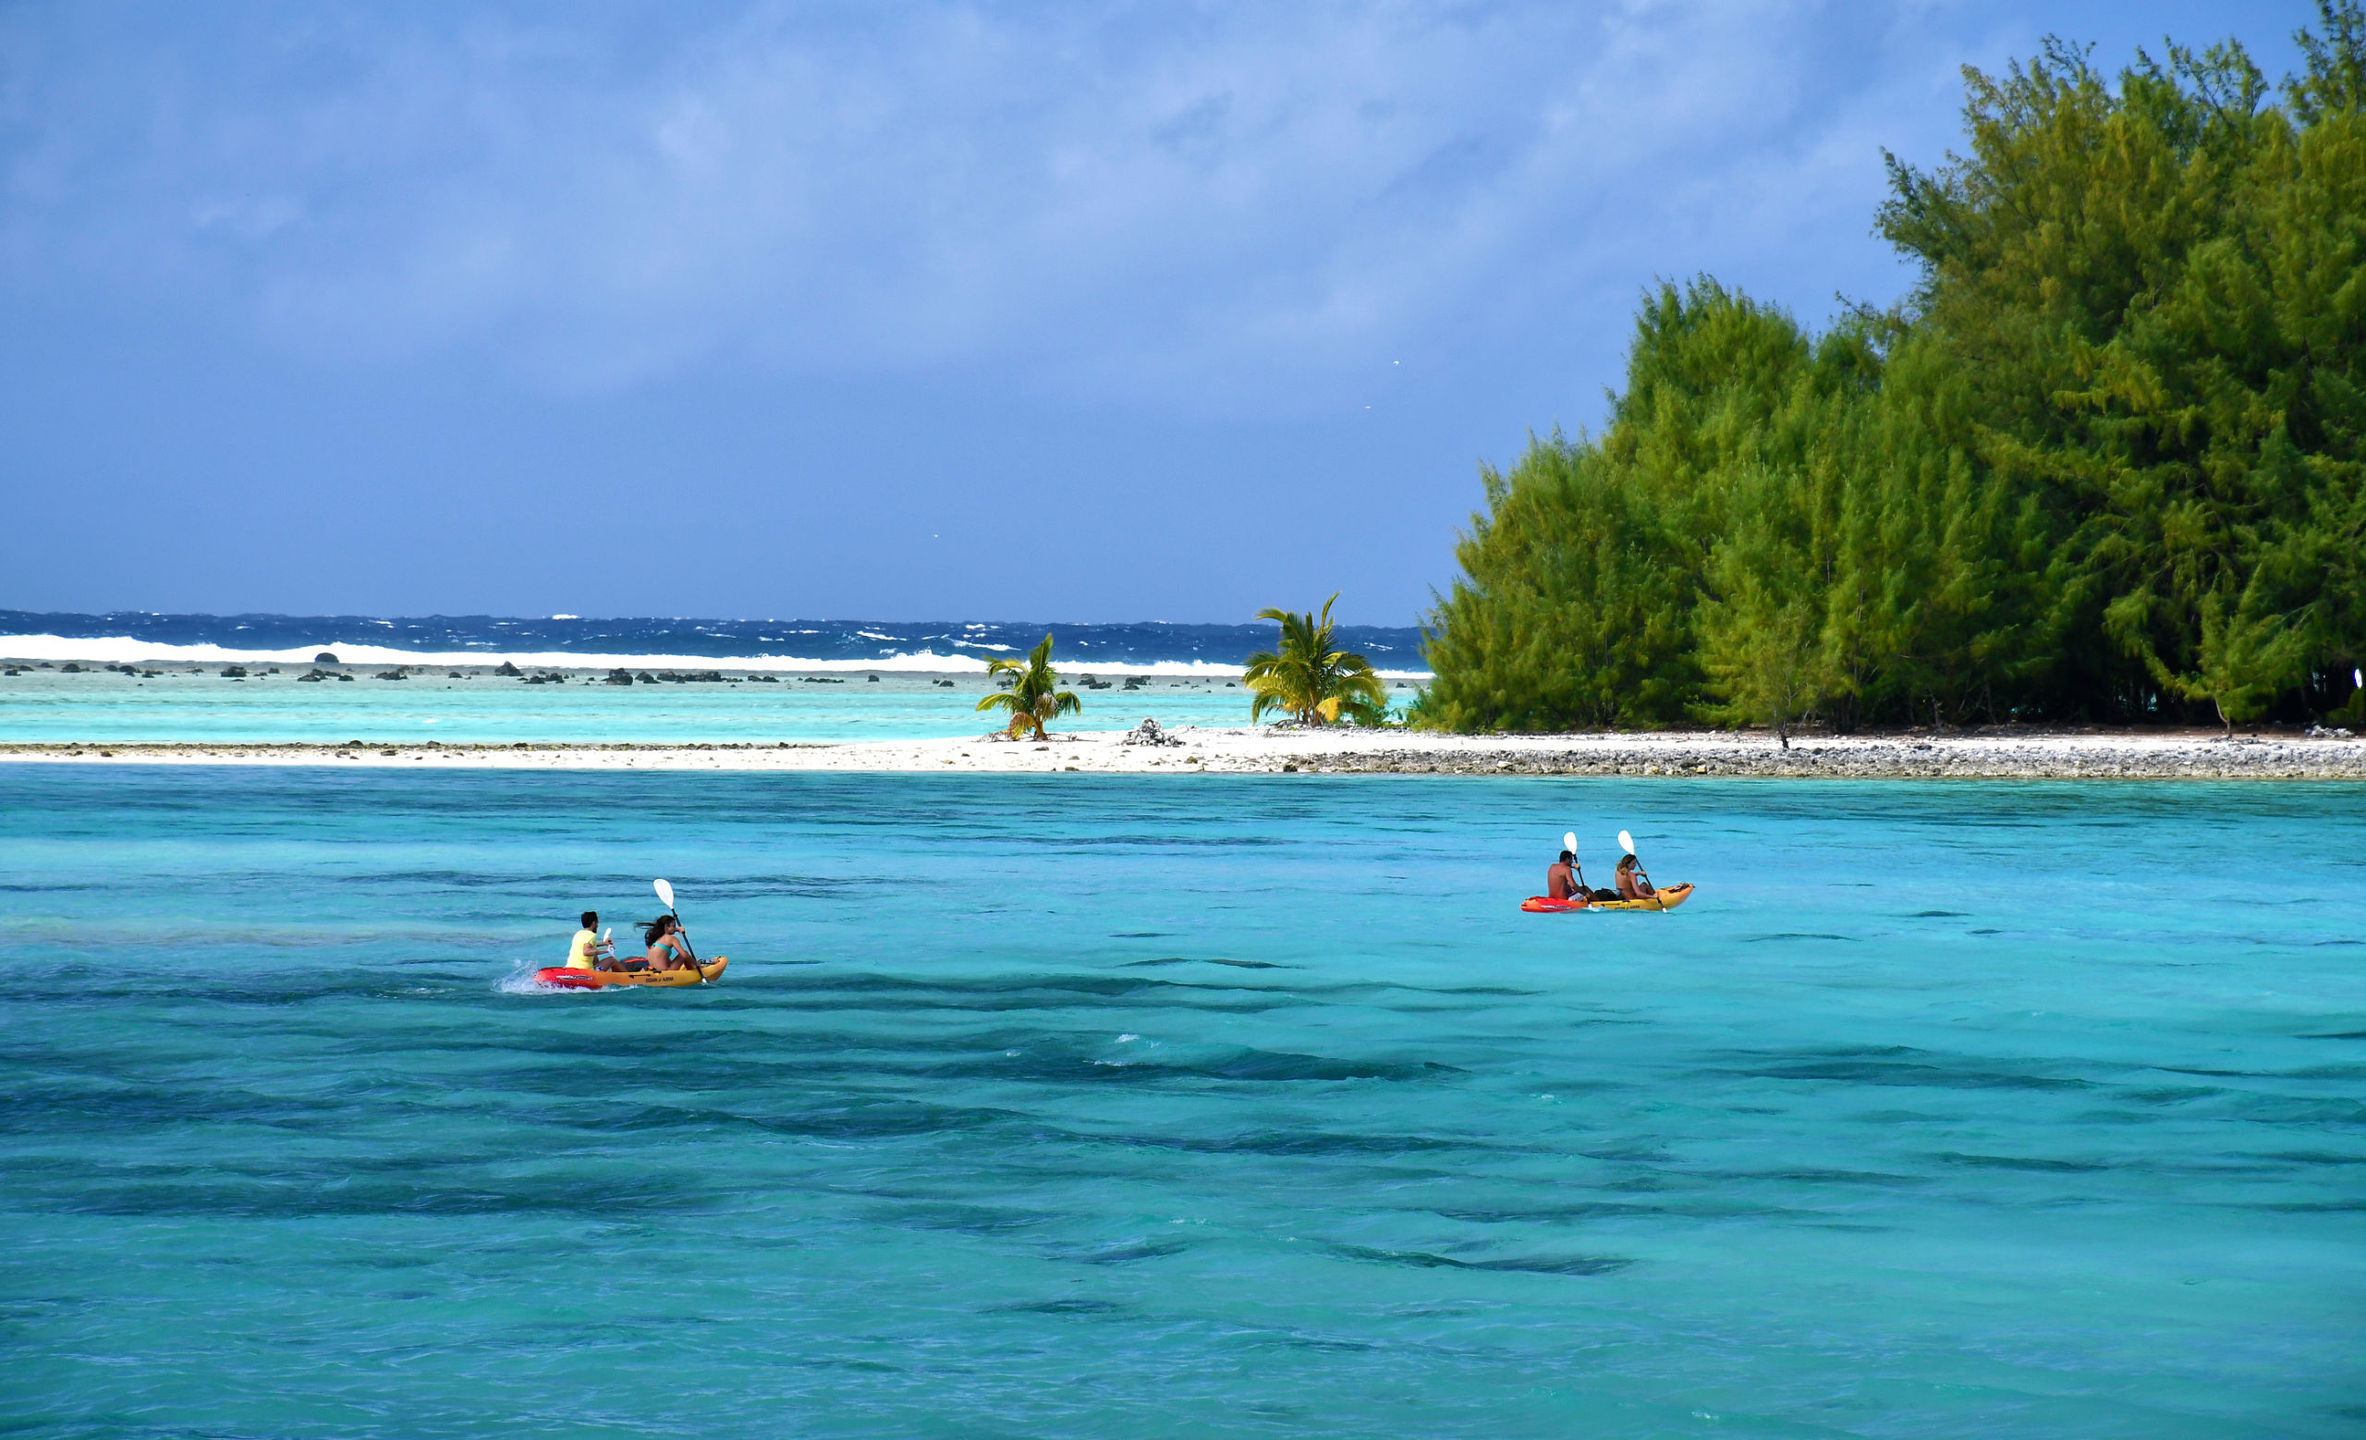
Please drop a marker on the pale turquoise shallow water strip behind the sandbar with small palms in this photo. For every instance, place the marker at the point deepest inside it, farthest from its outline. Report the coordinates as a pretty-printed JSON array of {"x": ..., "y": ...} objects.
[{"x": 200, "y": 706}]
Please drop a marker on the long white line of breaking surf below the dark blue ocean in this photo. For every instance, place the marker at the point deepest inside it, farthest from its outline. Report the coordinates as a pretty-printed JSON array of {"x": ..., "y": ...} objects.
[{"x": 136, "y": 651}]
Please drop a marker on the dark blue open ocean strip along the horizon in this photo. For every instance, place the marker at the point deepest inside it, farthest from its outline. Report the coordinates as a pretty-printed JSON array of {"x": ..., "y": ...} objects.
[{"x": 713, "y": 640}]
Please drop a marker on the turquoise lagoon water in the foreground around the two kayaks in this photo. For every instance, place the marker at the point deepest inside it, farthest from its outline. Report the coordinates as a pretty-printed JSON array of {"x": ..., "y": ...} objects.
[{"x": 1182, "y": 1108}]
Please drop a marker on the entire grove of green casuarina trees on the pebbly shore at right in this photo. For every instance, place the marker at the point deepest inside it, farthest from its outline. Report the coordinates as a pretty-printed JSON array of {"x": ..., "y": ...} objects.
[{"x": 2107, "y": 462}]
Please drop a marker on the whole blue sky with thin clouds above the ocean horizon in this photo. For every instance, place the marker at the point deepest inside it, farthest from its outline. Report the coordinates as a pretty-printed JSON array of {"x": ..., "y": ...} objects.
[{"x": 893, "y": 311}]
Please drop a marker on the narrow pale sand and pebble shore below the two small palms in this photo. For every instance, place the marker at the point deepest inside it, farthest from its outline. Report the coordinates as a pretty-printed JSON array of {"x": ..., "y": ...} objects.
[{"x": 2180, "y": 755}]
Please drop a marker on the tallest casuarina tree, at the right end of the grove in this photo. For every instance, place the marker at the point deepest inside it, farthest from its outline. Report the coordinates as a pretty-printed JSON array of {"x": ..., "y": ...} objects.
[{"x": 2154, "y": 290}]
